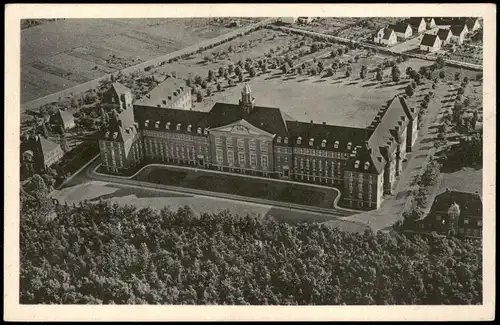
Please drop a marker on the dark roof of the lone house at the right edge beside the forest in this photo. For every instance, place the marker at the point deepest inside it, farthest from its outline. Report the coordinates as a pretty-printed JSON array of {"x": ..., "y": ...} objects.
[{"x": 469, "y": 203}]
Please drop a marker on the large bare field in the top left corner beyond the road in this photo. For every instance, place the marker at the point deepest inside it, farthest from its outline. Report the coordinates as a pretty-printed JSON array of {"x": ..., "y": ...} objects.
[{"x": 61, "y": 54}]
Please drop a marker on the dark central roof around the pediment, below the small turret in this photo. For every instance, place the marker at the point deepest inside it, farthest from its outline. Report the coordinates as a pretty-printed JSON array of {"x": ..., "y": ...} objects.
[{"x": 269, "y": 119}]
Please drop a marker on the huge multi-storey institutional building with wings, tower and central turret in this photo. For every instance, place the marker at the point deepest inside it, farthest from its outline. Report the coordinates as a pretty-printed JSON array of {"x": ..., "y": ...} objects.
[{"x": 255, "y": 140}]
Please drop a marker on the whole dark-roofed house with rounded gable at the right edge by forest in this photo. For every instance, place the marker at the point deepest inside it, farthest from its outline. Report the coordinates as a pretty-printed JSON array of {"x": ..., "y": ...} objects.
[{"x": 455, "y": 212}]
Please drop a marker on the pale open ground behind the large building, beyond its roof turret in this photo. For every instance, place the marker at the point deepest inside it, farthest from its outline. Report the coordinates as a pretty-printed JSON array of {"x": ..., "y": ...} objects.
[{"x": 336, "y": 100}]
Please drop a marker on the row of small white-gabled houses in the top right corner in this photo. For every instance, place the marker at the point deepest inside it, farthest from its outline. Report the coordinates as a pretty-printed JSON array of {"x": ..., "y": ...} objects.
[{"x": 405, "y": 29}]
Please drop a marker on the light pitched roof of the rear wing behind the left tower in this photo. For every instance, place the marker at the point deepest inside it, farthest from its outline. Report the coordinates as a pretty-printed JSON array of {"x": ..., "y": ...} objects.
[{"x": 165, "y": 93}]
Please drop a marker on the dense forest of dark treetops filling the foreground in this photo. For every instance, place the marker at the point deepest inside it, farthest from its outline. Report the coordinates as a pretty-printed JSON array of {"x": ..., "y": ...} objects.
[{"x": 102, "y": 253}]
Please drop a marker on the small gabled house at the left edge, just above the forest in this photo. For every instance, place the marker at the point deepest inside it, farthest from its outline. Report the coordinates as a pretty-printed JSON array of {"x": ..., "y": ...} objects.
[{"x": 40, "y": 153}]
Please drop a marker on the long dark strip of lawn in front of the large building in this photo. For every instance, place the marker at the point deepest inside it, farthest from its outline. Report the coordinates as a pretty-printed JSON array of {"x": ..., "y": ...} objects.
[{"x": 256, "y": 188}]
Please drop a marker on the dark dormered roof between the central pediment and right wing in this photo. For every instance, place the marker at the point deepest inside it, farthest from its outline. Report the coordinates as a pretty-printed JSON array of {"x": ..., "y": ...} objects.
[{"x": 330, "y": 133}]
